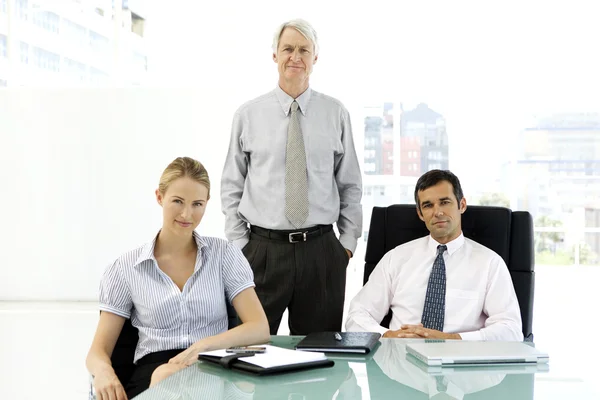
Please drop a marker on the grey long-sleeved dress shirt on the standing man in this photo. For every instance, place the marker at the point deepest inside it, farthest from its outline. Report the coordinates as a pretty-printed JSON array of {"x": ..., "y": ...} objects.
[{"x": 253, "y": 180}]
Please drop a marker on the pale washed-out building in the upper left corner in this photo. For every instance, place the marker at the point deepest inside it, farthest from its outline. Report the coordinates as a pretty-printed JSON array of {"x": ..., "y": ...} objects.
[{"x": 72, "y": 43}]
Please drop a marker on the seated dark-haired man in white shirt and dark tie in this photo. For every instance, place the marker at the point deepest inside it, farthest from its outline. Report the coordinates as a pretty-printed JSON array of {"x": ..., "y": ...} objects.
[{"x": 443, "y": 286}]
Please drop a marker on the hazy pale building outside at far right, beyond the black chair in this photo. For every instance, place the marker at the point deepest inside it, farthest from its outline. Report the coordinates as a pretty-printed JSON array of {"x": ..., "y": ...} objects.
[{"x": 556, "y": 174}]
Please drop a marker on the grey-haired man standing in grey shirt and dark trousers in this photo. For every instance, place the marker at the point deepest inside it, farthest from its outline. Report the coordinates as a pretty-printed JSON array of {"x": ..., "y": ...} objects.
[{"x": 291, "y": 172}]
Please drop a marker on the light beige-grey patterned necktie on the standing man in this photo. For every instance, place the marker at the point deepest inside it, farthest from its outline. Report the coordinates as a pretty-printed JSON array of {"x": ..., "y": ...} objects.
[{"x": 296, "y": 181}]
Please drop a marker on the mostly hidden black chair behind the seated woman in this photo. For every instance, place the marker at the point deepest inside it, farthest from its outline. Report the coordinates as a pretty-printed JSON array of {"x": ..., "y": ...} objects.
[{"x": 122, "y": 357}]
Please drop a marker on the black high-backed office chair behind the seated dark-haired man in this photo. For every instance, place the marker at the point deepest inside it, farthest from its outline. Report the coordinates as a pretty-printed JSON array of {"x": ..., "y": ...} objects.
[{"x": 508, "y": 233}]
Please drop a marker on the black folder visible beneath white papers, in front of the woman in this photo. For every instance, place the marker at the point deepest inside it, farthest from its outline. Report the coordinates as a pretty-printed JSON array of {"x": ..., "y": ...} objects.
[{"x": 236, "y": 361}]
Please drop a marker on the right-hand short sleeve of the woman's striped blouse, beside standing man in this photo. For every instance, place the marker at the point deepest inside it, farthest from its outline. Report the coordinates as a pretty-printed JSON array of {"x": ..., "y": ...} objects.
[{"x": 237, "y": 274}]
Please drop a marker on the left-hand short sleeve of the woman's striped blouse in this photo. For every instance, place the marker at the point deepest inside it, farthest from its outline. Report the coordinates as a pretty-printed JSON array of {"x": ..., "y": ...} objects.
[{"x": 115, "y": 295}]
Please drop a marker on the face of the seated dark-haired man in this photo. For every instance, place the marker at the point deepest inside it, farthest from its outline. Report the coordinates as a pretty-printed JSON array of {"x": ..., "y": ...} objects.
[{"x": 441, "y": 212}]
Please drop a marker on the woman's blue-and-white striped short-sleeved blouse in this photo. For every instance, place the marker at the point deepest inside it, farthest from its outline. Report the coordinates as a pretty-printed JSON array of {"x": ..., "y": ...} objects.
[{"x": 167, "y": 318}]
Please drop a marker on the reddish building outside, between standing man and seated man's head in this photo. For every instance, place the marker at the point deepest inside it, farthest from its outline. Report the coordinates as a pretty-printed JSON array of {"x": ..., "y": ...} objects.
[{"x": 399, "y": 146}]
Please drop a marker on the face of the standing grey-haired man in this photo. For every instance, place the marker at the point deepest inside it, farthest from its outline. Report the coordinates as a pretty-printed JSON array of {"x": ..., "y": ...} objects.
[{"x": 295, "y": 57}]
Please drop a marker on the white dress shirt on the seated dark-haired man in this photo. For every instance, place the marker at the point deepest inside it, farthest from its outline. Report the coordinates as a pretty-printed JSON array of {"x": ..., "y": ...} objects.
[{"x": 481, "y": 303}]
